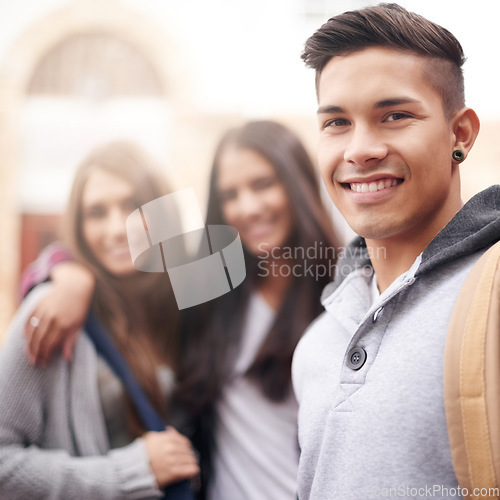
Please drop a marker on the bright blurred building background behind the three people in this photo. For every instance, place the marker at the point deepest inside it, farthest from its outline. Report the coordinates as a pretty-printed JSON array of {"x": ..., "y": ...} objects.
[{"x": 173, "y": 75}]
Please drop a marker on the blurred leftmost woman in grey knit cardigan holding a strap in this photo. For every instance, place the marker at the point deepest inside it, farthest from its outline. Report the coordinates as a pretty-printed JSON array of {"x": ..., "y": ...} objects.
[{"x": 70, "y": 430}]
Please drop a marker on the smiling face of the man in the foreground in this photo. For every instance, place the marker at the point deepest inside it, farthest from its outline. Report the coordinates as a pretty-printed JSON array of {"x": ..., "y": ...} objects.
[{"x": 385, "y": 145}]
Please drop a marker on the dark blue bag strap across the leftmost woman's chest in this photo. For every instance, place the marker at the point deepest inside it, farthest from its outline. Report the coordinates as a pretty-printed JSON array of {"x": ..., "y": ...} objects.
[{"x": 150, "y": 418}]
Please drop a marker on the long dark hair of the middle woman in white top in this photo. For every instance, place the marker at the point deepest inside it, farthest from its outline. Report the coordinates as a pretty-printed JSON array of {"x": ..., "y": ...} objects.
[{"x": 210, "y": 362}]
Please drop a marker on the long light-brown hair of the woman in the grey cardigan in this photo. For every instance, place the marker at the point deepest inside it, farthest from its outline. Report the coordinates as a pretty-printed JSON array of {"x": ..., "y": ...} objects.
[{"x": 154, "y": 292}]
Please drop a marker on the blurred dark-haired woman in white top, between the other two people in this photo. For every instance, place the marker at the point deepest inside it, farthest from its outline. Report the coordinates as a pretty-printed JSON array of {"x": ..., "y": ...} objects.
[{"x": 236, "y": 370}]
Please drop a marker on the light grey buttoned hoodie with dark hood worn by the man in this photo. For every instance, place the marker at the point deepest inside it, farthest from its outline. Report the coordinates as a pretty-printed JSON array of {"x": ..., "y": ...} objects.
[{"x": 376, "y": 427}]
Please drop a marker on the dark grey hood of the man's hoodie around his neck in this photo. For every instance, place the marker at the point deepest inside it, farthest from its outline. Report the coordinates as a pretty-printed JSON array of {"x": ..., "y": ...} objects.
[{"x": 475, "y": 227}]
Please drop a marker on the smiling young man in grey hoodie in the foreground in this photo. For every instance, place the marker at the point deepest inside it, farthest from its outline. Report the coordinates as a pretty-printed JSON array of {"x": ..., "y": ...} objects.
[{"x": 368, "y": 374}]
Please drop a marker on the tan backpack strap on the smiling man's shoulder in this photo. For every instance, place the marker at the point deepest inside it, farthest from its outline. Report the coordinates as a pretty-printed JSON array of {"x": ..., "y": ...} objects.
[{"x": 472, "y": 380}]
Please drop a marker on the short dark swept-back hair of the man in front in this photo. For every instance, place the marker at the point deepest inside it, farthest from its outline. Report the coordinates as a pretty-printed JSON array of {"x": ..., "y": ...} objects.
[{"x": 390, "y": 25}]
